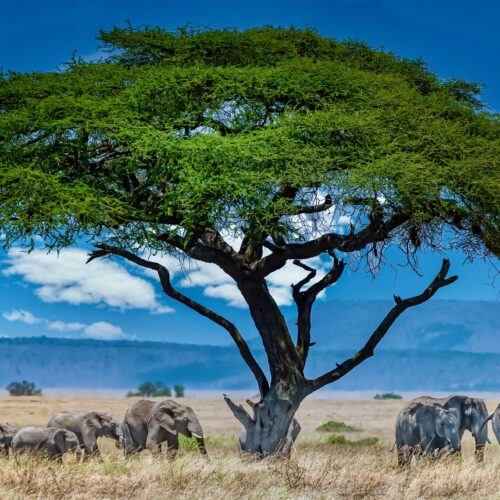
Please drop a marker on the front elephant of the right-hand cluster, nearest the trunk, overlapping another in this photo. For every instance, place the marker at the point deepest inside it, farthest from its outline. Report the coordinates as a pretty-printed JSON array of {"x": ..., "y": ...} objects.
[{"x": 427, "y": 428}]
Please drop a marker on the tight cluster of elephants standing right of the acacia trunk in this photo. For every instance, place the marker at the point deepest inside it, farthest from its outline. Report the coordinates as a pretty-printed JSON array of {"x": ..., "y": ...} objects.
[{"x": 435, "y": 426}]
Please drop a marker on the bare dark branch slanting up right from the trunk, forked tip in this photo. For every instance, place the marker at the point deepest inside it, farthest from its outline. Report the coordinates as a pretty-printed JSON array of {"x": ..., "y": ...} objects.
[{"x": 368, "y": 349}]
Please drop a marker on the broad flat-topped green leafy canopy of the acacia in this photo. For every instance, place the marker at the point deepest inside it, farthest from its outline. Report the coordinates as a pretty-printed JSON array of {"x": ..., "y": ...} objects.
[{"x": 177, "y": 131}]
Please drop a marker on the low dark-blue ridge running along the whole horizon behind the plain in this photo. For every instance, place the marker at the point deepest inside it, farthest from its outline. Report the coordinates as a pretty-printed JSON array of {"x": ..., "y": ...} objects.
[{"x": 124, "y": 364}]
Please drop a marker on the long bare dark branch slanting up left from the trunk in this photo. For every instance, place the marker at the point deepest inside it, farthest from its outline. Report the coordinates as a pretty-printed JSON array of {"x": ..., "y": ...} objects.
[{"x": 166, "y": 284}]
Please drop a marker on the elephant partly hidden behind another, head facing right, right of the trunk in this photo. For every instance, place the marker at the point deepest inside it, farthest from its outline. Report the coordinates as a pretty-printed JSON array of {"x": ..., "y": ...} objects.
[{"x": 472, "y": 412}]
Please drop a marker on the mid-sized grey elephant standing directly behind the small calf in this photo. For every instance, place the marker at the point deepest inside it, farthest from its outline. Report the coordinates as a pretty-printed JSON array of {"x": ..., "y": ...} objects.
[{"x": 88, "y": 426}]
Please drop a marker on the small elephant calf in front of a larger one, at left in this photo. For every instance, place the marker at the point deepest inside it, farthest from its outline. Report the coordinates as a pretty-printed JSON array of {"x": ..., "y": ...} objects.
[{"x": 50, "y": 441}]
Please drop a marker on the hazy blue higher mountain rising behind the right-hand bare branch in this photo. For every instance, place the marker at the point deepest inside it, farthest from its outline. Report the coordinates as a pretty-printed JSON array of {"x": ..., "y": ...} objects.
[{"x": 437, "y": 325}]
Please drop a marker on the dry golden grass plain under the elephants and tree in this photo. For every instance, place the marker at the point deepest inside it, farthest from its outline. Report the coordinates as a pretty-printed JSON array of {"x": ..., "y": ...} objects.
[{"x": 317, "y": 468}]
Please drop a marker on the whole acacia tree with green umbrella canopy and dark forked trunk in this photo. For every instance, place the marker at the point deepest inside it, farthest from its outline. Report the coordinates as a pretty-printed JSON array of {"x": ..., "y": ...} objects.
[{"x": 186, "y": 142}]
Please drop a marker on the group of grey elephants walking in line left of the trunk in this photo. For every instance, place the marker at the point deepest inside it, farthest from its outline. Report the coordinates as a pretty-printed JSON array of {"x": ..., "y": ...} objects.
[{"x": 146, "y": 425}]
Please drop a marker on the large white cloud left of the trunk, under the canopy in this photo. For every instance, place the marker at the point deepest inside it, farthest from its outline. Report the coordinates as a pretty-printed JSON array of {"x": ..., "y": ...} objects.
[{"x": 66, "y": 278}]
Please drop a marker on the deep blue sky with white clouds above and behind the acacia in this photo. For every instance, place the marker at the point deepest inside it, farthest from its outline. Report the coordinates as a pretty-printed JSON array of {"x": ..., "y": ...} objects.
[{"x": 62, "y": 297}]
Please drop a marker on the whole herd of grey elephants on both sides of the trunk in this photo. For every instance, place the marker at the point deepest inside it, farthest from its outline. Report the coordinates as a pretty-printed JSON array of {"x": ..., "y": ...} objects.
[{"x": 425, "y": 426}]
